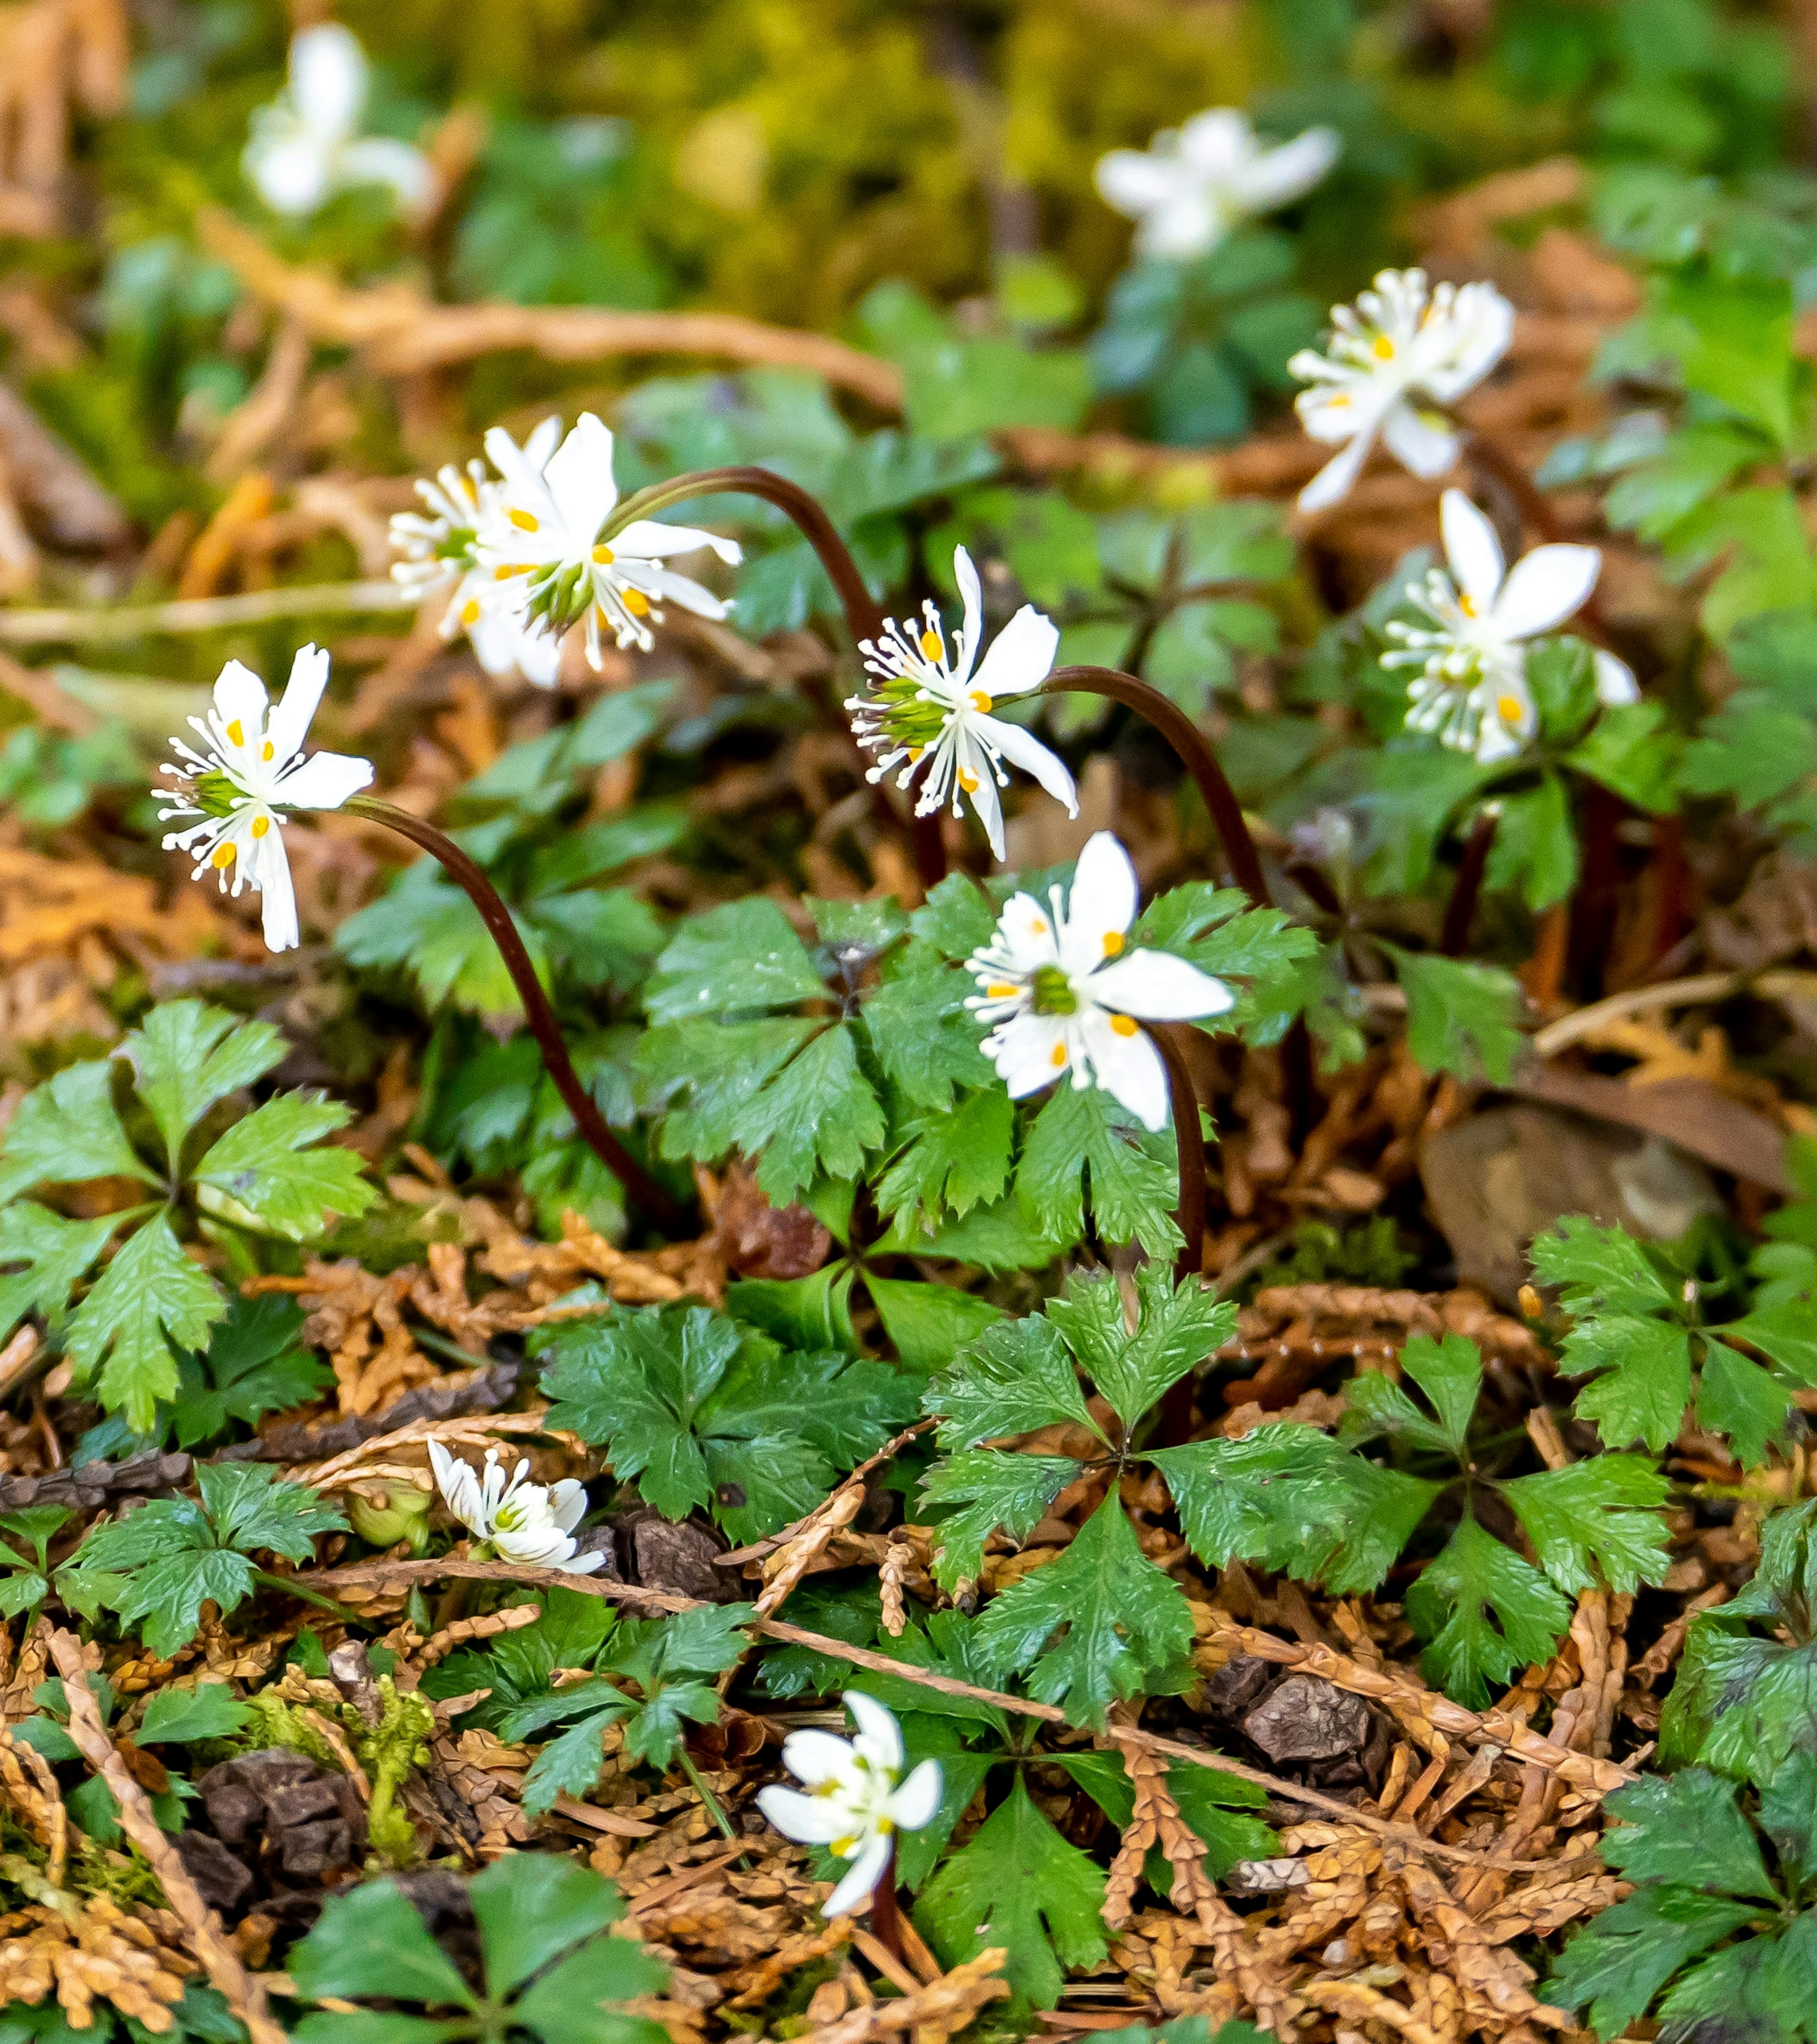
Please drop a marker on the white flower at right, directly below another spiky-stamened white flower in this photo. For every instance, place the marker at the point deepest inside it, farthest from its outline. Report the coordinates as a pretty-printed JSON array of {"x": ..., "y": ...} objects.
[{"x": 1471, "y": 688}]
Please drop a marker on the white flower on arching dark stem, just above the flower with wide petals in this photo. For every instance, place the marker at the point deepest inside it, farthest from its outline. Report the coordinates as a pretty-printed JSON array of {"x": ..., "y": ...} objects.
[{"x": 933, "y": 712}]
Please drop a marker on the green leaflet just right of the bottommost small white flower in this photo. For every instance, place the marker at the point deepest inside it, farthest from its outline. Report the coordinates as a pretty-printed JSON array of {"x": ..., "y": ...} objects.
[{"x": 1019, "y": 1886}]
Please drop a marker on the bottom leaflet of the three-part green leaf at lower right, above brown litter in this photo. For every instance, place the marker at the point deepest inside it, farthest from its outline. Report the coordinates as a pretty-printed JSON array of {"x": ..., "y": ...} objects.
[{"x": 1485, "y": 1614}]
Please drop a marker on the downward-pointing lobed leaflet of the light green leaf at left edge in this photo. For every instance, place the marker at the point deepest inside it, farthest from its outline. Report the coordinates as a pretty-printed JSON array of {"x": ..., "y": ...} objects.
[{"x": 144, "y": 1305}]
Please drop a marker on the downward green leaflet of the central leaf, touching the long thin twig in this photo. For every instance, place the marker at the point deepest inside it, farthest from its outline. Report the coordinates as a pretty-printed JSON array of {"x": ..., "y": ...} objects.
[{"x": 1092, "y": 1624}]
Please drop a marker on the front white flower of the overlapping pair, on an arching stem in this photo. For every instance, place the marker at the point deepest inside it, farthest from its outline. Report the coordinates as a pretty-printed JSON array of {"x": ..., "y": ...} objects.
[{"x": 545, "y": 528}]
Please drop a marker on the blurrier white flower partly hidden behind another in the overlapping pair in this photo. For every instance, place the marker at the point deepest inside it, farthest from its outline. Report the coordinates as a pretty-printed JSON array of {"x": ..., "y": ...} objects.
[{"x": 440, "y": 553}]
